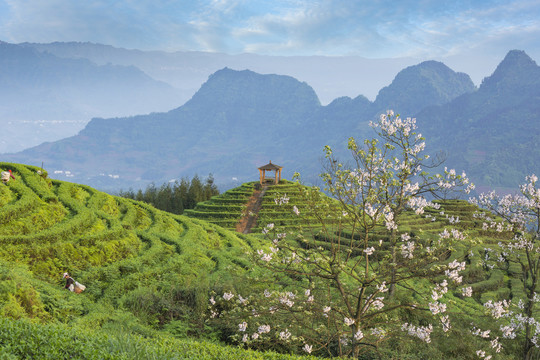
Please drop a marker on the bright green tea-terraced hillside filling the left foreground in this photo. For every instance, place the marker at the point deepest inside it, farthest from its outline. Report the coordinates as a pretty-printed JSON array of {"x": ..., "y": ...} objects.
[{"x": 148, "y": 274}]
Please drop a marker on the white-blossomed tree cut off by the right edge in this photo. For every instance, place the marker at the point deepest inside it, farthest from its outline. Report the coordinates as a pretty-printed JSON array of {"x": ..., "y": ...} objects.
[{"x": 519, "y": 214}]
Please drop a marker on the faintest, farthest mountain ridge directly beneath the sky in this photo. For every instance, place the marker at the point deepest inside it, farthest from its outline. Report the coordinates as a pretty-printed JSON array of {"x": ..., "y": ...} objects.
[{"x": 330, "y": 76}]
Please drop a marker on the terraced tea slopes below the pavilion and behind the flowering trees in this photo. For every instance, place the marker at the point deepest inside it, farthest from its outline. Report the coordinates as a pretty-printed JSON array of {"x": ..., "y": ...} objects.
[{"x": 227, "y": 210}]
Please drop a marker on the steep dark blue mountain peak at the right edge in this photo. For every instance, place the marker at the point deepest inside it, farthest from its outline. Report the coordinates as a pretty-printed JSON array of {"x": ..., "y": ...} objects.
[{"x": 493, "y": 132}]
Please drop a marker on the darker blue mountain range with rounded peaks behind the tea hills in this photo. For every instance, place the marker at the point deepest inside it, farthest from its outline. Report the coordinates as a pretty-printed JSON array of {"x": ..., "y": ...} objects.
[{"x": 239, "y": 120}]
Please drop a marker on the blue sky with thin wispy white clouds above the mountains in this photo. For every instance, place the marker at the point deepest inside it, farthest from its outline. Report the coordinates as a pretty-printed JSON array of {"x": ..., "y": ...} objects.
[{"x": 467, "y": 32}]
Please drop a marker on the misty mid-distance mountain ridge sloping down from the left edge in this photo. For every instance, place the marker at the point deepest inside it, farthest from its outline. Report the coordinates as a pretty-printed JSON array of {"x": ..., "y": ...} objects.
[{"x": 46, "y": 97}]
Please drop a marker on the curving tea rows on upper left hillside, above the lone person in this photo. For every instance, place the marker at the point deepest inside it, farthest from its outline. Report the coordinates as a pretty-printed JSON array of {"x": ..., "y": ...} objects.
[{"x": 69, "y": 227}]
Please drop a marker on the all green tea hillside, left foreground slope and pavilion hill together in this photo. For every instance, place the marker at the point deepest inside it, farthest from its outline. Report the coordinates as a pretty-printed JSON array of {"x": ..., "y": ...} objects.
[{"x": 149, "y": 274}]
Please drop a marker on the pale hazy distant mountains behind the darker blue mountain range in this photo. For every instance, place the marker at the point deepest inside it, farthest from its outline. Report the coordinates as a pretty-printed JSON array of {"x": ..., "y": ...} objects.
[{"x": 54, "y": 89}]
